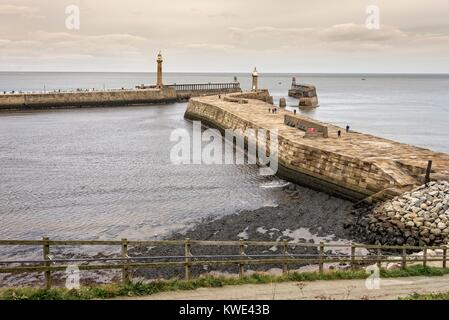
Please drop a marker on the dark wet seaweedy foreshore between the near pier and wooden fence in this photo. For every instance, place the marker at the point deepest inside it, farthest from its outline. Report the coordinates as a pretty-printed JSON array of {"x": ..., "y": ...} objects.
[{"x": 310, "y": 217}]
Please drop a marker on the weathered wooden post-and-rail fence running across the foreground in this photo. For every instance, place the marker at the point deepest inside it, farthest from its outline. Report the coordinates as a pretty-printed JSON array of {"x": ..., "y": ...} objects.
[{"x": 48, "y": 264}]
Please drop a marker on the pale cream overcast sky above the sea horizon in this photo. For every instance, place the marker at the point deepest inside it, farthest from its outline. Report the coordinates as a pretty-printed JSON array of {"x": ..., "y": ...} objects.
[{"x": 291, "y": 36}]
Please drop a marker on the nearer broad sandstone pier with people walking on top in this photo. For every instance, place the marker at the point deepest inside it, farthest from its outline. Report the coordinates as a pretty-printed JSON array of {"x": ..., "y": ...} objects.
[{"x": 353, "y": 165}]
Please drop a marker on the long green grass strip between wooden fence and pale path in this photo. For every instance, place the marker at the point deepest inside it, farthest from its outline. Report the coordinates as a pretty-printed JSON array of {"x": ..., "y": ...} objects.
[{"x": 143, "y": 289}]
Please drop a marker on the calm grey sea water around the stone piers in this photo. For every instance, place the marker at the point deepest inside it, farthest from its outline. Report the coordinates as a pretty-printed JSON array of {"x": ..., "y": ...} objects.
[{"x": 105, "y": 172}]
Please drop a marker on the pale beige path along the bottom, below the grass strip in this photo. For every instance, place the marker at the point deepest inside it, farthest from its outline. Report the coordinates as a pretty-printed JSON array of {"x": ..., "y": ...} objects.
[{"x": 335, "y": 289}]
